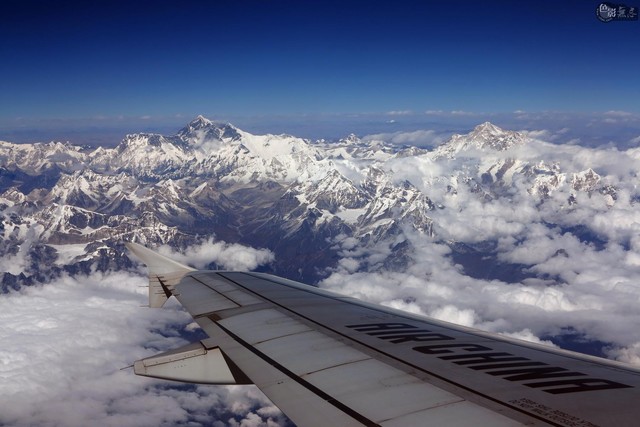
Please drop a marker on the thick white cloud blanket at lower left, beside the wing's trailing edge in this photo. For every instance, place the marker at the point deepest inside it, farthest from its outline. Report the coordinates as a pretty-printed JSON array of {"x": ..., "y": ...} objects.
[{"x": 62, "y": 347}]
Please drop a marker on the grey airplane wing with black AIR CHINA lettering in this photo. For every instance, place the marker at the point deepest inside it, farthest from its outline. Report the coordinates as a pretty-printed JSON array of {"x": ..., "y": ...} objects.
[{"x": 326, "y": 359}]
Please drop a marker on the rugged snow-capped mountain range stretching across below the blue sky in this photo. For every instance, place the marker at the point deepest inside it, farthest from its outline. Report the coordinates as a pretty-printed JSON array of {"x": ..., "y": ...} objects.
[{"x": 62, "y": 205}]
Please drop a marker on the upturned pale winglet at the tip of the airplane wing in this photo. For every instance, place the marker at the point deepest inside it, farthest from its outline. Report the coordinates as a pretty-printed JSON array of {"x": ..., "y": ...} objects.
[{"x": 164, "y": 273}]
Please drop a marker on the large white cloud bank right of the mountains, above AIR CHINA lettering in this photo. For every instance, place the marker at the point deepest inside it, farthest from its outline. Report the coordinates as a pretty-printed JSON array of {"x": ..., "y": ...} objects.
[{"x": 577, "y": 264}]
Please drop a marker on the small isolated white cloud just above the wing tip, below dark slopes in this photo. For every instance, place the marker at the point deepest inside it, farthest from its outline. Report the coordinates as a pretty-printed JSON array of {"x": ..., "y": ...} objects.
[{"x": 230, "y": 256}]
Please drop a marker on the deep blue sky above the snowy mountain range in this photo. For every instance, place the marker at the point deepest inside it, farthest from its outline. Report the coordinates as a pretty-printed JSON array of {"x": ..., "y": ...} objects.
[{"x": 76, "y": 67}]
